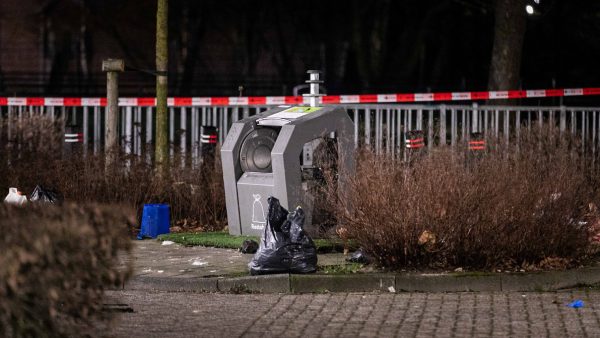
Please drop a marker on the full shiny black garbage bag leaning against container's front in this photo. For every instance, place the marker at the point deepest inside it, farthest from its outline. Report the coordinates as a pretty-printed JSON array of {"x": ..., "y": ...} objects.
[{"x": 284, "y": 246}]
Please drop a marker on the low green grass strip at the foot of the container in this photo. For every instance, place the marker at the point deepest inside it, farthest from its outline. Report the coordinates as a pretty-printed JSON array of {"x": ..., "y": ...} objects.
[{"x": 225, "y": 240}]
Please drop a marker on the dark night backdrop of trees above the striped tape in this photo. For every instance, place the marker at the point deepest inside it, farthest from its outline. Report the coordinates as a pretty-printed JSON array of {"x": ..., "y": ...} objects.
[{"x": 55, "y": 48}]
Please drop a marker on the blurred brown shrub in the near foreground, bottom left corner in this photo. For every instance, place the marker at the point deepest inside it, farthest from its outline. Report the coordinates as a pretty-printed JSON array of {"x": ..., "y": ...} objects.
[{"x": 55, "y": 264}]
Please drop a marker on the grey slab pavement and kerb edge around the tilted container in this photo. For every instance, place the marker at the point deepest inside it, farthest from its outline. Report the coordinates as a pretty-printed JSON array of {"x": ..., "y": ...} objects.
[{"x": 173, "y": 267}]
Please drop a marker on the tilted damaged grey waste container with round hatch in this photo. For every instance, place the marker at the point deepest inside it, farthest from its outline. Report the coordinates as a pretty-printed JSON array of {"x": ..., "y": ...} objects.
[{"x": 261, "y": 157}]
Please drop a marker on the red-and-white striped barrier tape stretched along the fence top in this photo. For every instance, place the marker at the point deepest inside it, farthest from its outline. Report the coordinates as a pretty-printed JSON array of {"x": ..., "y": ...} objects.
[{"x": 279, "y": 100}]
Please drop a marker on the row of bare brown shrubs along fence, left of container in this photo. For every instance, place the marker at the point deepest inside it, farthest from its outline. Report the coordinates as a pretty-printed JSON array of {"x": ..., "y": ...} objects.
[{"x": 194, "y": 194}]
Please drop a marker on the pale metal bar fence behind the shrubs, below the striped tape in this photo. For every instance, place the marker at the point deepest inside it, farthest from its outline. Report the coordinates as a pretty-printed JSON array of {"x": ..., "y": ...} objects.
[{"x": 381, "y": 126}]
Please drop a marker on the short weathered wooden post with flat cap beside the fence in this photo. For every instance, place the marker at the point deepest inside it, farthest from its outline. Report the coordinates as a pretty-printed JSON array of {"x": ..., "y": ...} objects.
[{"x": 112, "y": 67}]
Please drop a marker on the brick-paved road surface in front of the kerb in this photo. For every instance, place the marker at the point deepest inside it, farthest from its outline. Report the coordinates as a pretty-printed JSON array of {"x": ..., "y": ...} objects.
[{"x": 162, "y": 314}]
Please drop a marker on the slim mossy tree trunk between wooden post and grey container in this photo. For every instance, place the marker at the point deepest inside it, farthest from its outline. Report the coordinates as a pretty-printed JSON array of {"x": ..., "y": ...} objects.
[{"x": 162, "y": 145}]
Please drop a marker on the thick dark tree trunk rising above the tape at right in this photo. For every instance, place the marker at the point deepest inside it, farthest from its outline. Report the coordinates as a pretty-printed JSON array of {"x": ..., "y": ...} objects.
[{"x": 509, "y": 30}]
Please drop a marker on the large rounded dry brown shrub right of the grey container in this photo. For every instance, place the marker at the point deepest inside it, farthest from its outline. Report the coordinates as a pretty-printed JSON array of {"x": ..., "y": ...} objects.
[{"x": 508, "y": 207}]
